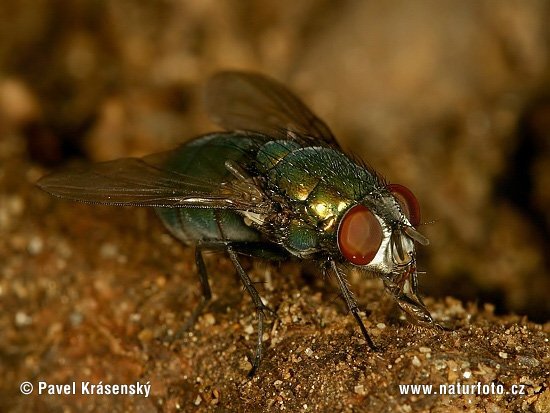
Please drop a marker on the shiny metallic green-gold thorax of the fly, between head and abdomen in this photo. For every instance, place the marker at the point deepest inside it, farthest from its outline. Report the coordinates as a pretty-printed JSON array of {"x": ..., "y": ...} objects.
[{"x": 320, "y": 184}]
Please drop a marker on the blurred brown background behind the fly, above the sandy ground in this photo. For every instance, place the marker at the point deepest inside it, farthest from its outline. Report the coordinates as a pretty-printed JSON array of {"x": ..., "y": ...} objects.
[{"x": 451, "y": 99}]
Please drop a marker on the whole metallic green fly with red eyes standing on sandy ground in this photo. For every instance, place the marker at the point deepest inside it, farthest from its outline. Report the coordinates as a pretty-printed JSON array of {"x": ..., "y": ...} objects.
[{"x": 276, "y": 185}]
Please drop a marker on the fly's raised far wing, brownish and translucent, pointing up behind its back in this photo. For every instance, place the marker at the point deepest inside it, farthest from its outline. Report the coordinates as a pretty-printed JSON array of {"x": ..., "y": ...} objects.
[{"x": 252, "y": 102}]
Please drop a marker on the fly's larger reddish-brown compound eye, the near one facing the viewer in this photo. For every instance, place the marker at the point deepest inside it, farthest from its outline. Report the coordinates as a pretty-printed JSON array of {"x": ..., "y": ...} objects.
[{"x": 359, "y": 235}]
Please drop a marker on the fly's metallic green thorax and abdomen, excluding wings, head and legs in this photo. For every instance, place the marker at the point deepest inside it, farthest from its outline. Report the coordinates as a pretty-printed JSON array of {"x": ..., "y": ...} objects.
[{"x": 312, "y": 185}]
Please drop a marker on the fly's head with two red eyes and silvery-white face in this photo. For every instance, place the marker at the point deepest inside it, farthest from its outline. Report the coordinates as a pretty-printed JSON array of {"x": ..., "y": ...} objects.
[{"x": 378, "y": 234}]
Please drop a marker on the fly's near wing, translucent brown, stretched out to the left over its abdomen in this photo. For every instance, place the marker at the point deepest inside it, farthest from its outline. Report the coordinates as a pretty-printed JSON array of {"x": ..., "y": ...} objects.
[{"x": 144, "y": 182}]
